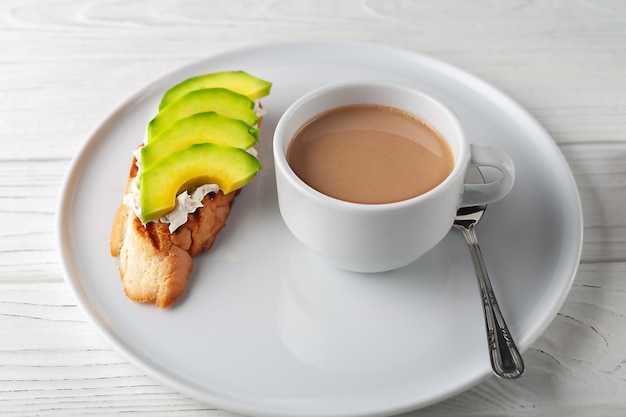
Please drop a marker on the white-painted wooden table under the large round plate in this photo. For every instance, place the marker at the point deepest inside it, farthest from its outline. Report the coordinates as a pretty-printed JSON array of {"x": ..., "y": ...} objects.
[{"x": 65, "y": 64}]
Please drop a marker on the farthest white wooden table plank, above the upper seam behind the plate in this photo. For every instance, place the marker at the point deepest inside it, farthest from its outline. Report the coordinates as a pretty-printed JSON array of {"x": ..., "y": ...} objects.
[{"x": 55, "y": 92}]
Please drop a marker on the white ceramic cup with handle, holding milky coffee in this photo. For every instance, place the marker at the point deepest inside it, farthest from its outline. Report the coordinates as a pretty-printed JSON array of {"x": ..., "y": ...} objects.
[{"x": 381, "y": 237}]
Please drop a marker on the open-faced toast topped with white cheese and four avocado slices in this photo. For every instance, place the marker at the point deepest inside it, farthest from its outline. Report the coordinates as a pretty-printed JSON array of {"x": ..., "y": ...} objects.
[{"x": 197, "y": 155}]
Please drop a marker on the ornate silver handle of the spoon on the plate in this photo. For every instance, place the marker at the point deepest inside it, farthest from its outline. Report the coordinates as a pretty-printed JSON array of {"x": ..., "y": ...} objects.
[{"x": 506, "y": 360}]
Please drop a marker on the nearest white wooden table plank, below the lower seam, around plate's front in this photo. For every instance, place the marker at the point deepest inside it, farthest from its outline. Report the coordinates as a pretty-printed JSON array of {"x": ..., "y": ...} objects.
[{"x": 53, "y": 362}]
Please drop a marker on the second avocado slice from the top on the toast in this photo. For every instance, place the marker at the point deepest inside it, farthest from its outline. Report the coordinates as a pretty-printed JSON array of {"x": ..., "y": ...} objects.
[{"x": 220, "y": 100}]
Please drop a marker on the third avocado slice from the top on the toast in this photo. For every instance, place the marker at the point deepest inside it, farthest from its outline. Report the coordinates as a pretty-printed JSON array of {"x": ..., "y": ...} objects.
[{"x": 198, "y": 128}]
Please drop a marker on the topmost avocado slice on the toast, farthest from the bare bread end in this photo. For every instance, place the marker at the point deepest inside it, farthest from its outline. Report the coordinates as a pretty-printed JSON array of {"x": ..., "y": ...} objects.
[{"x": 238, "y": 81}]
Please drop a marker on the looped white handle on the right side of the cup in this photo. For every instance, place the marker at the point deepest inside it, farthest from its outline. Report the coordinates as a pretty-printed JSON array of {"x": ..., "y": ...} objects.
[{"x": 485, "y": 155}]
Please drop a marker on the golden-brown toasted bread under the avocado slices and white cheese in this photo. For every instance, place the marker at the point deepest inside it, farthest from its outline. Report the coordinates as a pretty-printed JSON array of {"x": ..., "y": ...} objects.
[{"x": 155, "y": 264}]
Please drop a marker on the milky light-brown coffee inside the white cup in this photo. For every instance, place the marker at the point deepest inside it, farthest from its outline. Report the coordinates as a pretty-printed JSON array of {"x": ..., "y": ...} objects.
[{"x": 369, "y": 154}]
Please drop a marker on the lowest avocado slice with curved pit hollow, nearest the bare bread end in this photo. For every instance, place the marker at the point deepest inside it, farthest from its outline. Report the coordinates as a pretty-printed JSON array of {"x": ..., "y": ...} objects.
[{"x": 205, "y": 163}]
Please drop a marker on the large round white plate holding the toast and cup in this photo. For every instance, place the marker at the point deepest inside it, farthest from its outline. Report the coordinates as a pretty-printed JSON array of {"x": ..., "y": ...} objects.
[{"x": 265, "y": 327}]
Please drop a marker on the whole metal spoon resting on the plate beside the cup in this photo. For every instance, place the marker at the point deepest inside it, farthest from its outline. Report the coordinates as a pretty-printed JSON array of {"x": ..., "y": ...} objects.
[{"x": 506, "y": 360}]
